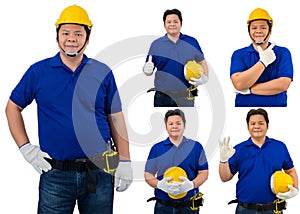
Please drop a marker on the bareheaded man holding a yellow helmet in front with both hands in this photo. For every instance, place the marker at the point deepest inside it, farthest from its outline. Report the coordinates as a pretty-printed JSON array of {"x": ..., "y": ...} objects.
[{"x": 179, "y": 152}]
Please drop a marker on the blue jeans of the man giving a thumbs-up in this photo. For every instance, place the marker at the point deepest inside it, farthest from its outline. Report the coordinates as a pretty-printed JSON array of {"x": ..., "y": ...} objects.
[{"x": 162, "y": 100}]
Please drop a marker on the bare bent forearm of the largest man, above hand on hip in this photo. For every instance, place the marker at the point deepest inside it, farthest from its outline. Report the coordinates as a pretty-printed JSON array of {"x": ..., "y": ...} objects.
[{"x": 16, "y": 123}]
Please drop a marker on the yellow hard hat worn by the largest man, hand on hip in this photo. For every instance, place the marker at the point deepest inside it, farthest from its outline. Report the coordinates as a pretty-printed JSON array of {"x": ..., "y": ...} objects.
[{"x": 74, "y": 15}]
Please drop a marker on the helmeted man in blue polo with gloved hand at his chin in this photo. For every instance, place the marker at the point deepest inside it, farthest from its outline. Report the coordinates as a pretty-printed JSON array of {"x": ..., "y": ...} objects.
[{"x": 262, "y": 72}]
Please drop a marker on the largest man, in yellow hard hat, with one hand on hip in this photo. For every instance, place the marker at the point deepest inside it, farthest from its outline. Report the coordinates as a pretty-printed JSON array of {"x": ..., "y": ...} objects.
[{"x": 79, "y": 116}]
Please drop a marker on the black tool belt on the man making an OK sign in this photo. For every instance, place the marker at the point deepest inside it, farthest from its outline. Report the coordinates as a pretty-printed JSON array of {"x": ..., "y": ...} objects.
[{"x": 277, "y": 205}]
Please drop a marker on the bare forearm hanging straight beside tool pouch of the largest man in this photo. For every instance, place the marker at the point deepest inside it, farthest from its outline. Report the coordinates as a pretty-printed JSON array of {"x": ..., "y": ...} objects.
[{"x": 119, "y": 134}]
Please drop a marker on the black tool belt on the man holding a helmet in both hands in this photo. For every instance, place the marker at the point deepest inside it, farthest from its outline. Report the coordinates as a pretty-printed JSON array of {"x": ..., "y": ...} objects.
[{"x": 194, "y": 202}]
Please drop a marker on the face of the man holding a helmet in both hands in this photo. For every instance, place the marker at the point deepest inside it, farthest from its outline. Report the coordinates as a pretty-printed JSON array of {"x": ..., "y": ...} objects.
[{"x": 175, "y": 126}]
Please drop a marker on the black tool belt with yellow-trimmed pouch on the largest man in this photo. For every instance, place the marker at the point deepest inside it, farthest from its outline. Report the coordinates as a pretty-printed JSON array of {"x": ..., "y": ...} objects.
[{"x": 108, "y": 162}]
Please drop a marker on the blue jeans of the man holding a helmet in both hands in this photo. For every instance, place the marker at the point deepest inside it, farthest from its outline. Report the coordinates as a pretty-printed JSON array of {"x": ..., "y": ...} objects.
[{"x": 162, "y": 209}]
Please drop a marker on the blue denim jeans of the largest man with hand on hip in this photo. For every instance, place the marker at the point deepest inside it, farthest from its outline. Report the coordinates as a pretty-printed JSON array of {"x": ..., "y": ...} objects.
[{"x": 59, "y": 191}]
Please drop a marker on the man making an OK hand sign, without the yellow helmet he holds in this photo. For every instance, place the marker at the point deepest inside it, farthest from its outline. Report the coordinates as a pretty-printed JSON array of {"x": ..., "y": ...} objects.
[{"x": 255, "y": 160}]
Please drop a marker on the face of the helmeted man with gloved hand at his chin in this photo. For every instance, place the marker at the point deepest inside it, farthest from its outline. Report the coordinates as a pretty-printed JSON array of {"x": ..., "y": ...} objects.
[{"x": 259, "y": 31}]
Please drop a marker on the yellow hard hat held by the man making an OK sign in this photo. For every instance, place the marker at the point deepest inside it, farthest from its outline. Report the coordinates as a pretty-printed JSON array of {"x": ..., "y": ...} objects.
[{"x": 280, "y": 181}]
